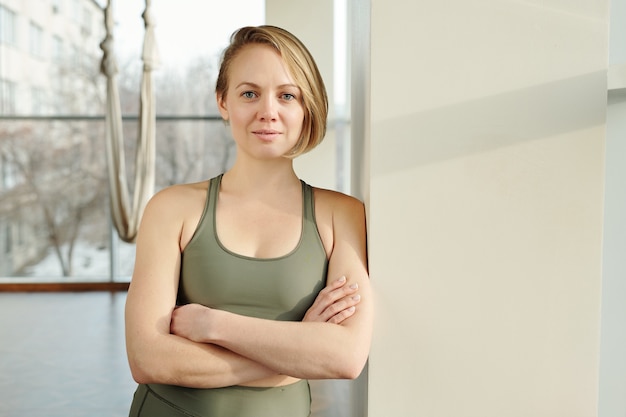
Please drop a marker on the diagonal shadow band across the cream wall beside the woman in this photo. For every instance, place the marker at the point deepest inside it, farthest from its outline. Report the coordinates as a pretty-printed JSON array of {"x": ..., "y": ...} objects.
[{"x": 487, "y": 123}]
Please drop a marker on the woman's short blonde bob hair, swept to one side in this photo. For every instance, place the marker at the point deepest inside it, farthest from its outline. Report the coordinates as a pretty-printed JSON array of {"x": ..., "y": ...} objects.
[{"x": 302, "y": 68}]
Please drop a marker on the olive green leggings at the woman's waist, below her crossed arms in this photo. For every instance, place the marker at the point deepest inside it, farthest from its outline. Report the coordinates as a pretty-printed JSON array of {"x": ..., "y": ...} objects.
[{"x": 155, "y": 400}]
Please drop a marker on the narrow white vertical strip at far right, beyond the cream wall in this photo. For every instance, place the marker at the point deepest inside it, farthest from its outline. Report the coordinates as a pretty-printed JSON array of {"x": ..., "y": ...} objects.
[{"x": 613, "y": 342}]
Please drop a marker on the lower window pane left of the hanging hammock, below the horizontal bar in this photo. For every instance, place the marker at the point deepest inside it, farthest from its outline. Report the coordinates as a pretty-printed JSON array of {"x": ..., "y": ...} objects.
[{"x": 53, "y": 207}]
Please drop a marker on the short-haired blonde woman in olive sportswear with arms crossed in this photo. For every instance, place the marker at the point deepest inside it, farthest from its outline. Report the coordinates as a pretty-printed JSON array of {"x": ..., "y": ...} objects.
[{"x": 269, "y": 274}]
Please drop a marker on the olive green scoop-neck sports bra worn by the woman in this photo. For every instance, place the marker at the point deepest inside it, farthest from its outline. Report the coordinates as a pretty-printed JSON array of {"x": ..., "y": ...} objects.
[{"x": 280, "y": 288}]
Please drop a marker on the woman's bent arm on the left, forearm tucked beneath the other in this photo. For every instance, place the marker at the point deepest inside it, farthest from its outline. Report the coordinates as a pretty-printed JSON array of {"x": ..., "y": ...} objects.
[{"x": 155, "y": 355}]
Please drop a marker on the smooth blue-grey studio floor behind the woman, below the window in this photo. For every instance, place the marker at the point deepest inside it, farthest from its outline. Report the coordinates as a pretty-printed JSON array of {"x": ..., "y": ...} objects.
[{"x": 63, "y": 355}]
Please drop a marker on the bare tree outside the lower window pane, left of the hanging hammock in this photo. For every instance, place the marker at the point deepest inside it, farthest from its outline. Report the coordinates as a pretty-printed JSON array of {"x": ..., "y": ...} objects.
[{"x": 64, "y": 182}]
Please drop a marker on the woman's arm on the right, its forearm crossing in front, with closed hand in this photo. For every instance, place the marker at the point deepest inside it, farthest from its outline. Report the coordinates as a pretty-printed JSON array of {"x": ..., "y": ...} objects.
[{"x": 310, "y": 350}]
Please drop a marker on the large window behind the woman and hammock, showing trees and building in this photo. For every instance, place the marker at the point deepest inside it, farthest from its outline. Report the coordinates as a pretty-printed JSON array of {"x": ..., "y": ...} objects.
[{"x": 54, "y": 204}]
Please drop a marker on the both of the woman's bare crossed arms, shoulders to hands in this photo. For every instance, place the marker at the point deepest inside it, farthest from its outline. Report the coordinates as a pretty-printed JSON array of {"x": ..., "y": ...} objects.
[{"x": 199, "y": 347}]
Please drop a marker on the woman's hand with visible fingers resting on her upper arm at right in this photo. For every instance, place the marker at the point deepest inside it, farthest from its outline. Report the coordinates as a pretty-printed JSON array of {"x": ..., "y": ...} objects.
[{"x": 334, "y": 304}]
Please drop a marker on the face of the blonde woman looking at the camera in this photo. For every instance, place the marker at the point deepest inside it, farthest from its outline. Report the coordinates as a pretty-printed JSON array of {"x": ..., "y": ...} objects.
[{"x": 262, "y": 104}]
